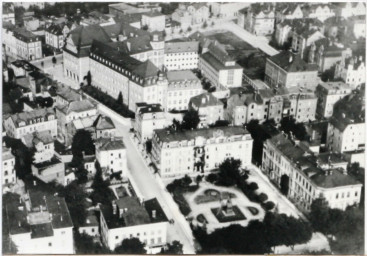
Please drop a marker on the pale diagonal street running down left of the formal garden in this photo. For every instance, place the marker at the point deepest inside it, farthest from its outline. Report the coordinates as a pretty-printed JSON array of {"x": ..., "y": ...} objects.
[{"x": 150, "y": 188}]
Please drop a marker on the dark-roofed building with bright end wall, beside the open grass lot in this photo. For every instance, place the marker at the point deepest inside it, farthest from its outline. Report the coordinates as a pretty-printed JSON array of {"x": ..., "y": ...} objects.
[{"x": 219, "y": 68}]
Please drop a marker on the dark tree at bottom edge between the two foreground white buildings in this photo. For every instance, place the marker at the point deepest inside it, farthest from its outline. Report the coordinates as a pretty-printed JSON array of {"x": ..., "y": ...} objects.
[{"x": 84, "y": 244}]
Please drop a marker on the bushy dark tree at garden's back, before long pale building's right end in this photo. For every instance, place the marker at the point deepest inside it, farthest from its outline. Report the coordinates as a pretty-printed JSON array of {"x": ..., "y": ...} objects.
[{"x": 229, "y": 172}]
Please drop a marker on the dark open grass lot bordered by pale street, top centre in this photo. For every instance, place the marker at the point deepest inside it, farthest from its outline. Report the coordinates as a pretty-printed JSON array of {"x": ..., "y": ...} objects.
[{"x": 237, "y": 47}]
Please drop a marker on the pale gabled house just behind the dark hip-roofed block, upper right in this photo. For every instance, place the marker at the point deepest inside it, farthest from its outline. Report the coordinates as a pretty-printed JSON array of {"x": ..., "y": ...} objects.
[{"x": 326, "y": 53}]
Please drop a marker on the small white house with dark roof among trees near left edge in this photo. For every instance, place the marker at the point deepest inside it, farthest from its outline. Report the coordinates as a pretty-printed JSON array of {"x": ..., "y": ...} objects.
[{"x": 43, "y": 145}]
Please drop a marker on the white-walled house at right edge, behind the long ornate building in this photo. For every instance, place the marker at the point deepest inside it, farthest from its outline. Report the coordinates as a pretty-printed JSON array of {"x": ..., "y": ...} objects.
[{"x": 345, "y": 134}]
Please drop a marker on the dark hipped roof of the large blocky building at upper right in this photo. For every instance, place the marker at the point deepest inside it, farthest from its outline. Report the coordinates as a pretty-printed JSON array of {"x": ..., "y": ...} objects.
[{"x": 291, "y": 62}]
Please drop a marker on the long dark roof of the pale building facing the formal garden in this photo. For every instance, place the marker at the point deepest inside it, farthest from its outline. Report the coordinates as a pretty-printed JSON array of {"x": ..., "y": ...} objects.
[{"x": 166, "y": 135}]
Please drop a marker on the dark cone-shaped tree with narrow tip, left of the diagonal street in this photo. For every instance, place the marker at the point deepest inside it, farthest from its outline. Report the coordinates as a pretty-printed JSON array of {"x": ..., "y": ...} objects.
[{"x": 101, "y": 191}]
